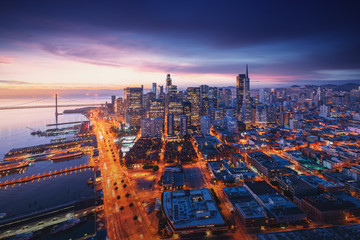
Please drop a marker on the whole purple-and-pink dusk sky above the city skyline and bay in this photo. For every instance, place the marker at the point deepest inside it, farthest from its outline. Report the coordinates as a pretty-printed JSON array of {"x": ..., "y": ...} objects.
[{"x": 47, "y": 45}]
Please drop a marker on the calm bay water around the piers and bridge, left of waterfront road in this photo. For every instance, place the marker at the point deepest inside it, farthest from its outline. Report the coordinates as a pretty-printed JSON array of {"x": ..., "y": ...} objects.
[{"x": 15, "y": 128}]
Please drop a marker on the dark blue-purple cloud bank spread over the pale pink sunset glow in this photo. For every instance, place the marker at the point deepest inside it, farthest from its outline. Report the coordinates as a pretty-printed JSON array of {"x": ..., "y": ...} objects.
[{"x": 198, "y": 36}]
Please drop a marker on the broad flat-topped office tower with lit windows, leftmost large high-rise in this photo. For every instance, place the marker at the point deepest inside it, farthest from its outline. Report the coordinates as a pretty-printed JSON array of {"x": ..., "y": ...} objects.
[{"x": 133, "y": 99}]
